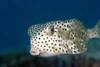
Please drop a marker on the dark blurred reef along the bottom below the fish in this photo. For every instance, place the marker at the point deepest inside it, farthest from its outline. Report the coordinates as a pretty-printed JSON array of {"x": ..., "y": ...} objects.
[{"x": 26, "y": 60}]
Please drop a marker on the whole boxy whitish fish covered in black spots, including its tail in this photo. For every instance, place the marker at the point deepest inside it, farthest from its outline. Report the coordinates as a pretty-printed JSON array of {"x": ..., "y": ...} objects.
[{"x": 61, "y": 37}]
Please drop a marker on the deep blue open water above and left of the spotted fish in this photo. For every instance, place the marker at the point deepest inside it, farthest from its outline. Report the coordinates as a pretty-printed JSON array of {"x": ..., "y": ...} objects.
[{"x": 16, "y": 16}]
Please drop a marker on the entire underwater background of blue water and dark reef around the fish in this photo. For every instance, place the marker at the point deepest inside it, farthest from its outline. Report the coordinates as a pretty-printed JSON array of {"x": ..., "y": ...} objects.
[{"x": 16, "y": 16}]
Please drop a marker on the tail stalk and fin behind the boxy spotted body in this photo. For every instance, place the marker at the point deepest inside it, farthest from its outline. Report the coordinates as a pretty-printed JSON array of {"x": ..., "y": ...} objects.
[{"x": 94, "y": 32}]
